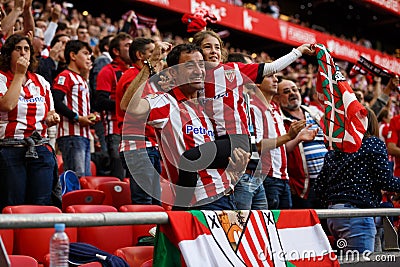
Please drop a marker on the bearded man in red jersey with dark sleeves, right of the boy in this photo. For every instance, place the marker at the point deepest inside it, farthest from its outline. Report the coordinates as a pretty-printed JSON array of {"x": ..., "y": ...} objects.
[{"x": 105, "y": 97}]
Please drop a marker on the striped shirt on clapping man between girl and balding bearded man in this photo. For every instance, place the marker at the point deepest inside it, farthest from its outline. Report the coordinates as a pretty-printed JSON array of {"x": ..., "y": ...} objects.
[{"x": 268, "y": 123}]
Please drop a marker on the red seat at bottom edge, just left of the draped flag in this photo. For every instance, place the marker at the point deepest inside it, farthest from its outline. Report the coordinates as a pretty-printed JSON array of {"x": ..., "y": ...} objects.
[{"x": 135, "y": 256}]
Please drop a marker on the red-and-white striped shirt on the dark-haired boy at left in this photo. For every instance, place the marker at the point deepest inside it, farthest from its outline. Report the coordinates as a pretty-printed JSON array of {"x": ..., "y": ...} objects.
[{"x": 77, "y": 99}]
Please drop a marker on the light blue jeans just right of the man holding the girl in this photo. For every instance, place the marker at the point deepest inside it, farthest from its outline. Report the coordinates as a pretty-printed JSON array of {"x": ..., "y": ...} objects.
[{"x": 250, "y": 194}]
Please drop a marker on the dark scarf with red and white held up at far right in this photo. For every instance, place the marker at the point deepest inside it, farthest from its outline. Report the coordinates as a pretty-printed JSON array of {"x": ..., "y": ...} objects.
[{"x": 365, "y": 67}]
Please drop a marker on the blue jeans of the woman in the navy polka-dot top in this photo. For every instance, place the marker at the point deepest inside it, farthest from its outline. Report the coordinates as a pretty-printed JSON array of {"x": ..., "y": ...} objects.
[{"x": 358, "y": 232}]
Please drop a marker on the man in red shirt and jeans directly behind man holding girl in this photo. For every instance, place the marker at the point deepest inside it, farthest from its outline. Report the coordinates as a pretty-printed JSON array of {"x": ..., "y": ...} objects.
[{"x": 139, "y": 149}]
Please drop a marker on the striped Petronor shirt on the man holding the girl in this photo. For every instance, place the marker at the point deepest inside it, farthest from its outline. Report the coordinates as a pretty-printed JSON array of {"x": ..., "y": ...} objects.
[{"x": 180, "y": 125}]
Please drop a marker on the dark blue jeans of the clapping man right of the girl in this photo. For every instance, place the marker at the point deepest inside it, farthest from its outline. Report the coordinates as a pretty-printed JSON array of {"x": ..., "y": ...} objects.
[{"x": 278, "y": 193}]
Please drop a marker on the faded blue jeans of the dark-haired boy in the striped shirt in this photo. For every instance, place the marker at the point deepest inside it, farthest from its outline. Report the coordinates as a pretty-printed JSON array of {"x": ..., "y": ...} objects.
[{"x": 75, "y": 151}]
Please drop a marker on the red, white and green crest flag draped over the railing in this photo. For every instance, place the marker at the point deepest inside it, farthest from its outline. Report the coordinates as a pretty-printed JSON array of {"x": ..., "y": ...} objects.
[{"x": 243, "y": 238}]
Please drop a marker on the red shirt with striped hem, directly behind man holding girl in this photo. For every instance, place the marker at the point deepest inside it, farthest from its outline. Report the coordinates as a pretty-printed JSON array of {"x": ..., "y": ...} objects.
[{"x": 128, "y": 125}]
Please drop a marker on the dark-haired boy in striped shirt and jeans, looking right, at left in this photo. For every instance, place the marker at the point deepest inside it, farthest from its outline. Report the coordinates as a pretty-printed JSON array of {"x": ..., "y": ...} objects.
[{"x": 72, "y": 101}]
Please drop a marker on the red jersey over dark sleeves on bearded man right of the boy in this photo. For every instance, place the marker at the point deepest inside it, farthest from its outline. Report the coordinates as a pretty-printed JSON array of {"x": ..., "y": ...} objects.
[{"x": 107, "y": 80}]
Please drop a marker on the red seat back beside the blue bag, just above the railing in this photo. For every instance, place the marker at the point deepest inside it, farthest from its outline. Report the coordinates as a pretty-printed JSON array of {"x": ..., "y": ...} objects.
[{"x": 82, "y": 197}]
